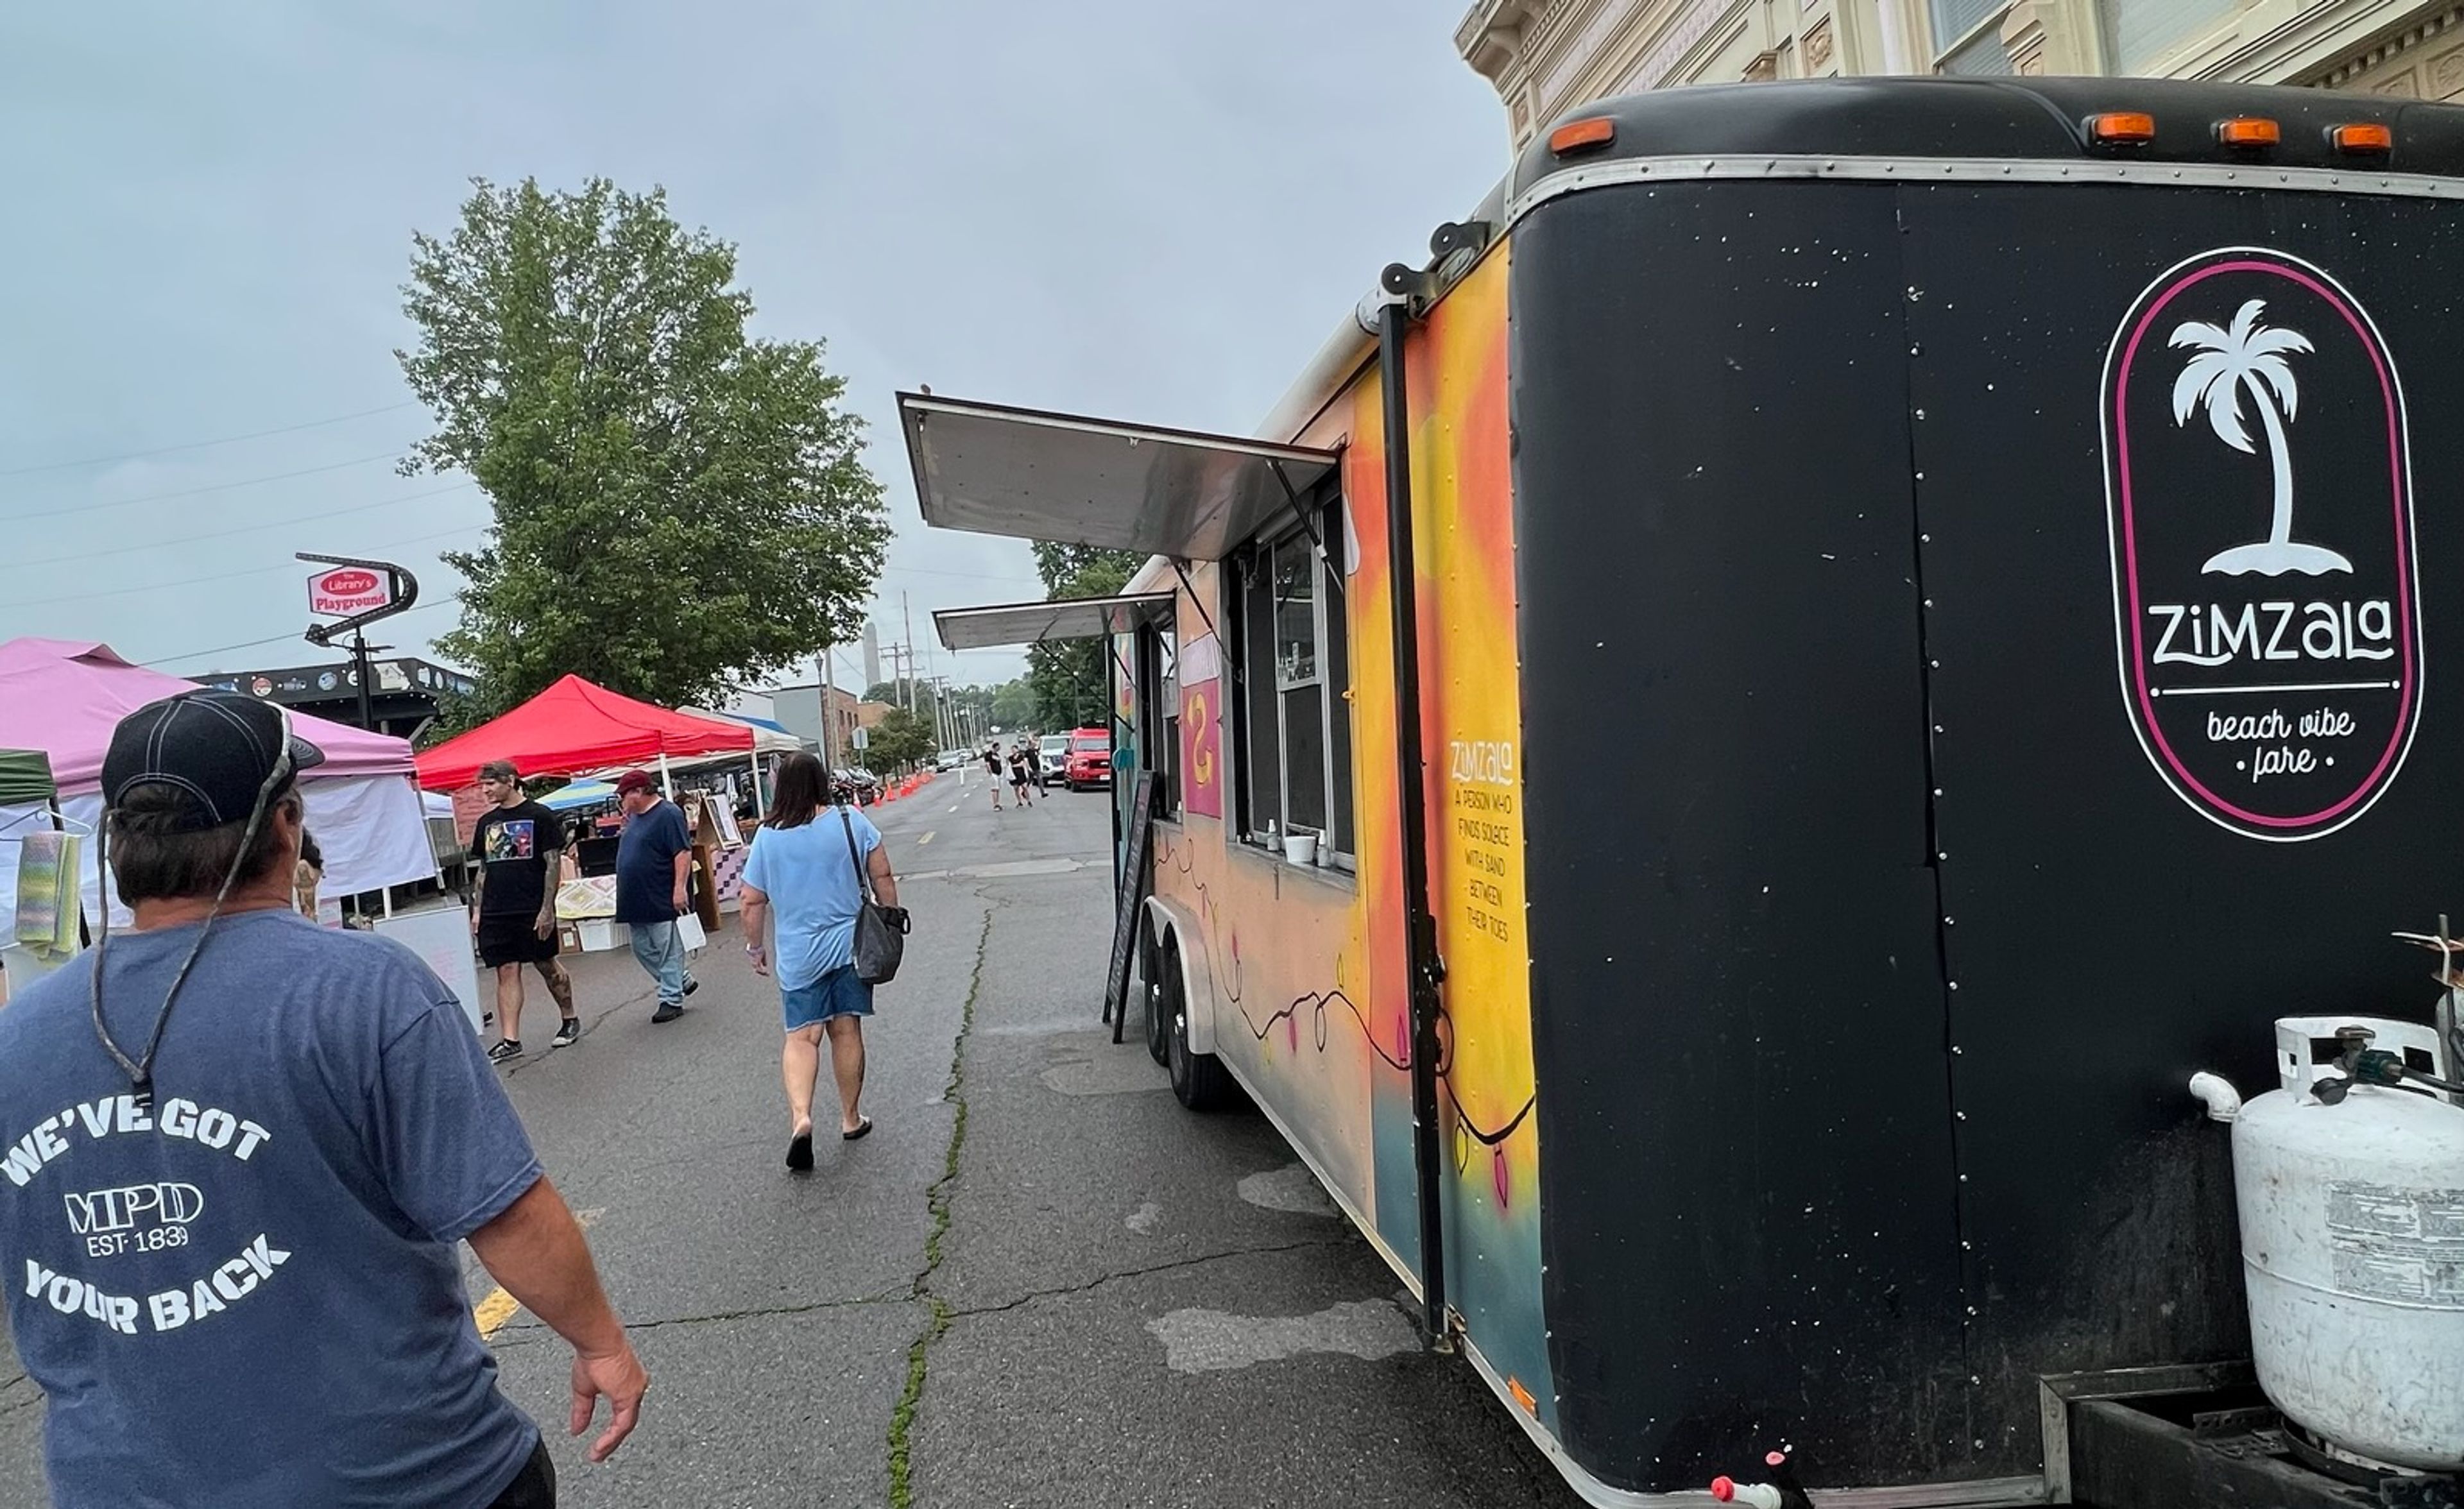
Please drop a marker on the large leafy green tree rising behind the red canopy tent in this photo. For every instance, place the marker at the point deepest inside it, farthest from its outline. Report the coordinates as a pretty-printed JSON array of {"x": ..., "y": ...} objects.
[{"x": 679, "y": 507}]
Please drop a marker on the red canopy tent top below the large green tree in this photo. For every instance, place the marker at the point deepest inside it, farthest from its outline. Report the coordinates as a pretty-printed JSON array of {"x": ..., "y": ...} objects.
[{"x": 578, "y": 726}]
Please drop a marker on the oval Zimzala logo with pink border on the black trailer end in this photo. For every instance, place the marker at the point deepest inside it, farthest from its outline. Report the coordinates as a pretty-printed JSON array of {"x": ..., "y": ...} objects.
[{"x": 2261, "y": 514}]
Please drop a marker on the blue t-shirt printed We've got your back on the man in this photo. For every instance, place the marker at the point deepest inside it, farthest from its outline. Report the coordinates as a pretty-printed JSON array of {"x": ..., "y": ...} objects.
[{"x": 250, "y": 1293}]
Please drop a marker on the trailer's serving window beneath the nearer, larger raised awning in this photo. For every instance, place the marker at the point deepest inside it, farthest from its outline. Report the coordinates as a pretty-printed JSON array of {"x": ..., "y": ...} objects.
[{"x": 1295, "y": 667}]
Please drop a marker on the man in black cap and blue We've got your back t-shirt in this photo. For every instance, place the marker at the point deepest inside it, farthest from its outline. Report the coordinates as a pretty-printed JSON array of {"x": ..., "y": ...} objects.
[{"x": 272, "y": 1131}]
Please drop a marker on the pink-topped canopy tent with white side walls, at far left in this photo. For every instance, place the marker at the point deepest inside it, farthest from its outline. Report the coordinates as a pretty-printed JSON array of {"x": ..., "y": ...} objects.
[{"x": 65, "y": 697}]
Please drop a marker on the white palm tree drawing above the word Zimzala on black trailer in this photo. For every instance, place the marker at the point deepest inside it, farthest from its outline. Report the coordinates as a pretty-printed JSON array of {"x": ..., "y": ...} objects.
[{"x": 2251, "y": 356}]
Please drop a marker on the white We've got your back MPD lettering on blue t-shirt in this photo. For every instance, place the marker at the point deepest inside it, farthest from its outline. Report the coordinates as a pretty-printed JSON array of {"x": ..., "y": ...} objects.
[{"x": 137, "y": 1219}]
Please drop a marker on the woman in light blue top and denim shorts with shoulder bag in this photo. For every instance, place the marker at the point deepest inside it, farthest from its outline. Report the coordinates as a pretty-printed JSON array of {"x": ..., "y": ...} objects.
[{"x": 804, "y": 877}]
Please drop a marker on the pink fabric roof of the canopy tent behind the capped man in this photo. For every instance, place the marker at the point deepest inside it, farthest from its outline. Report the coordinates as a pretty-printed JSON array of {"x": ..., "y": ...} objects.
[{"x": 65, "y": 697}]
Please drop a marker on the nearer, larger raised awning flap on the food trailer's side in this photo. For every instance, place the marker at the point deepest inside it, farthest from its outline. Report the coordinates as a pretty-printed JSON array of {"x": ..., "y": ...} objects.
[{"x": 1093, "y": 482}]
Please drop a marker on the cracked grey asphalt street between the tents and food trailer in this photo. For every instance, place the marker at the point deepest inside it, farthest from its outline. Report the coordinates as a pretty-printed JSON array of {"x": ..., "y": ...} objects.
[{"x": 1036, "y": 1283}]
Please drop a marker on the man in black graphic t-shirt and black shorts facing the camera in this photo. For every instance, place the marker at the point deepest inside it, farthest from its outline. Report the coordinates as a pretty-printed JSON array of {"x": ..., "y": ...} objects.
[{"x": 519, "y": 847}]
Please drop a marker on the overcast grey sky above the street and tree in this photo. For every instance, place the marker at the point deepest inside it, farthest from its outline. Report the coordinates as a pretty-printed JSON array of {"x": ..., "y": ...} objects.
[{"x": 1140, "y": 208}]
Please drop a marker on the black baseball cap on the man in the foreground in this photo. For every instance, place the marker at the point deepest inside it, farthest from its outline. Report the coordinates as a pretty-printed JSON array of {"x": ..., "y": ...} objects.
[{"x": 216, "y": 746}]
